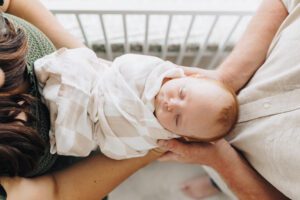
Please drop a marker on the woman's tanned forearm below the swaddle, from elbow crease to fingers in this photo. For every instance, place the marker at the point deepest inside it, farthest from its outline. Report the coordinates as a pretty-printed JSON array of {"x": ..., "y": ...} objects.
[{"x": 96, "y": 177}]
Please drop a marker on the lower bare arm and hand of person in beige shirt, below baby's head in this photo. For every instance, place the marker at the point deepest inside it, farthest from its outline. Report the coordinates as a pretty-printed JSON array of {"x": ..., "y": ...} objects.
[{"x": 240, "y": 177}]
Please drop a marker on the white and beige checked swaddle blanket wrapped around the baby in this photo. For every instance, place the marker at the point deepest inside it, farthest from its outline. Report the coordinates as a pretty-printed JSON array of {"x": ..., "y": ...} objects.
[{"x": 94, "y": 102}]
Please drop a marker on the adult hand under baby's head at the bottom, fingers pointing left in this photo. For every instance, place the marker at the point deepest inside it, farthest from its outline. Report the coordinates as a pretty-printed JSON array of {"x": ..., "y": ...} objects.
[{"x": 211, "y": 154}]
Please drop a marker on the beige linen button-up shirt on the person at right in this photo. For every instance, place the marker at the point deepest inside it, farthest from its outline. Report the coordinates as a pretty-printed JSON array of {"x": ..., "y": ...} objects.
[{"x": 268, "y": 129}]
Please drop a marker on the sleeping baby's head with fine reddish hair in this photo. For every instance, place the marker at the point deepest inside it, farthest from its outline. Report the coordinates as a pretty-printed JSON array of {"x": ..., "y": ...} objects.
[{"x": 196, "y": 108}]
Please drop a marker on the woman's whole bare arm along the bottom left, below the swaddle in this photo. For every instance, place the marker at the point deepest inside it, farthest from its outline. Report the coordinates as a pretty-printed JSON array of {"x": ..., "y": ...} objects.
[{"x": 90, "y": 179}]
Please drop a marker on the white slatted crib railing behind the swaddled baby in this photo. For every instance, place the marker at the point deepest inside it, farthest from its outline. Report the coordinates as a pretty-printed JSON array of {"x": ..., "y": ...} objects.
[{"x": 203, "y": 53}]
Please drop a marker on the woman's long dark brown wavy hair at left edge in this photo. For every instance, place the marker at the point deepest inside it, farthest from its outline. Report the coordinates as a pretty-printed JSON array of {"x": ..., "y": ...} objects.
[{"x": 20, "y": 145}]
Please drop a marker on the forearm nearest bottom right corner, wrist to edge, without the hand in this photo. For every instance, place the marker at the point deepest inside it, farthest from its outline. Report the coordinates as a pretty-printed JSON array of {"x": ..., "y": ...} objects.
[{"x": 243, "y": 180}]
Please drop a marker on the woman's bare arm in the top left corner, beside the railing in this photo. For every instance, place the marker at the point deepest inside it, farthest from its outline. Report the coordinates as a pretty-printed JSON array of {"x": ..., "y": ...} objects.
[{"x": 34, "y": 12}]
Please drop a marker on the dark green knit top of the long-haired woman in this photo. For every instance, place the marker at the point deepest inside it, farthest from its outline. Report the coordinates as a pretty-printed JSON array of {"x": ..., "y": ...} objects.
[{"x": 39, "y": 46}]
